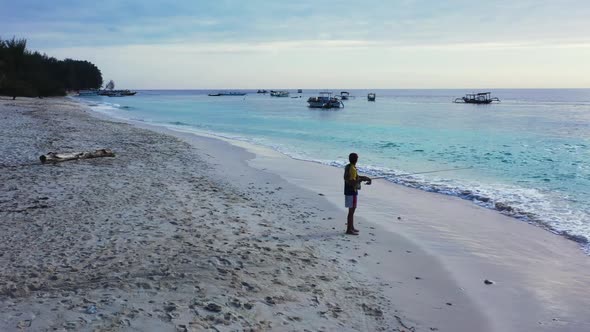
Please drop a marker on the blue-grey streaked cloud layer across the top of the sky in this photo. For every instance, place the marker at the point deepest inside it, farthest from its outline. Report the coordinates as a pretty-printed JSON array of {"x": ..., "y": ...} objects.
[{"x": 109, "y": 22}]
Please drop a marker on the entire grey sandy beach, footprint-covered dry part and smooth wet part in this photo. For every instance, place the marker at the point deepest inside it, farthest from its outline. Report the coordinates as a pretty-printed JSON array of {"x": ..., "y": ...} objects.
[{"x": 186, "y": 233}]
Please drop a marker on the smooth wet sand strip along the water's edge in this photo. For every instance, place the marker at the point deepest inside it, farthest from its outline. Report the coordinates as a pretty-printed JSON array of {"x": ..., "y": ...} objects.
[{"x": 505, "y": 237}]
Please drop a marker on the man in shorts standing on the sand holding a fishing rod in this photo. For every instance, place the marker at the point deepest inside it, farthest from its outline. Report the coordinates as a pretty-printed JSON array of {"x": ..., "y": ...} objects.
[{"x": 352, "y": 183}]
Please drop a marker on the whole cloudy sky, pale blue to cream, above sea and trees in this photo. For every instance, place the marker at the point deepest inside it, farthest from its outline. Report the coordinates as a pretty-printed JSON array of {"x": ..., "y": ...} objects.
[{"x": 254, "y": 44}]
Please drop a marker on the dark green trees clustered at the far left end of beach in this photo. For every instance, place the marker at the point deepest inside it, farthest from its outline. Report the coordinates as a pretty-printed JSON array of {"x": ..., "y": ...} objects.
[{"x": 32, "y": 74}]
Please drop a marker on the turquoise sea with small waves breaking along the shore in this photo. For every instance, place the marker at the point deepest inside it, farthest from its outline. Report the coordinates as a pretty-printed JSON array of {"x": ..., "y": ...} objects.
[{"x": 528, "y": 156}]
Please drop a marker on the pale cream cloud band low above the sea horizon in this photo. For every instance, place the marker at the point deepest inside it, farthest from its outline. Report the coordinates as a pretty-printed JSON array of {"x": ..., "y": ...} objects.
[{"x": 346, "y": 64}]
